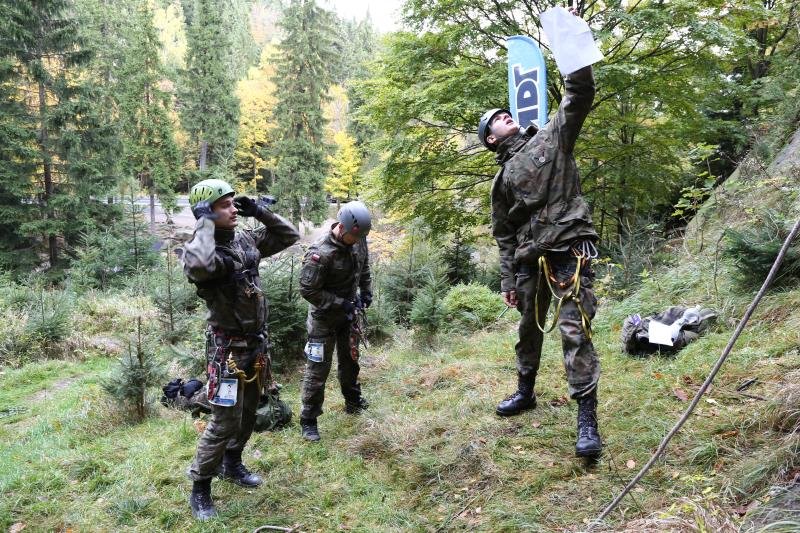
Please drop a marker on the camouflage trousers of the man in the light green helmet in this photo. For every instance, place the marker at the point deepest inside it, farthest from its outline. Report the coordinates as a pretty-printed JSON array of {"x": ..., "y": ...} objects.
[{"x": 230, "y": 427}]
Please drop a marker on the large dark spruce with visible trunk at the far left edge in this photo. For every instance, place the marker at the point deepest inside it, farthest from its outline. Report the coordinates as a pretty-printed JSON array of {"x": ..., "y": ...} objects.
[{"x": 75, "y": 144}]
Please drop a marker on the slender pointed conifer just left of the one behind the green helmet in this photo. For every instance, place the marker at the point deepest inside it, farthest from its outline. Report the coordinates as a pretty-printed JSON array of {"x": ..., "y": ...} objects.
[{"x": 150, "y": 152}]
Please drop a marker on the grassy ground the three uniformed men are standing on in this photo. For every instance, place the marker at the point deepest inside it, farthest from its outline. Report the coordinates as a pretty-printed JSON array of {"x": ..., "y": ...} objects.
[{"x": 429, "y": 455}]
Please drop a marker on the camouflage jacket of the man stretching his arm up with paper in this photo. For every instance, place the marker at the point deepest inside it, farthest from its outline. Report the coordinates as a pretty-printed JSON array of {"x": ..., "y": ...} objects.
[{"x": 537, "y": 205}]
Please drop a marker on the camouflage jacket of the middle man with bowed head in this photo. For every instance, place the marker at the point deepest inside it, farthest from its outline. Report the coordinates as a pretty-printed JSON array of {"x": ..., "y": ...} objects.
[{"x": 332, "y": 272}]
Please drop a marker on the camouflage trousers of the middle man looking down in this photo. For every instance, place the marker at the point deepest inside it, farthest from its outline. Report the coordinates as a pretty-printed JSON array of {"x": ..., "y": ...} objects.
[{"x": 334, "y": 333}]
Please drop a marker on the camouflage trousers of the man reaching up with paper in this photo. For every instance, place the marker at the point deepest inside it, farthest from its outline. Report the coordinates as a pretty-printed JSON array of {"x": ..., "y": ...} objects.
[{"x": 580, "y": 359}]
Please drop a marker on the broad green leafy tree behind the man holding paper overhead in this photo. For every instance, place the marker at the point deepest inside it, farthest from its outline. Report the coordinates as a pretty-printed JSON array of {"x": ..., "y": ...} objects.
[{"x": 431, "y": 86}]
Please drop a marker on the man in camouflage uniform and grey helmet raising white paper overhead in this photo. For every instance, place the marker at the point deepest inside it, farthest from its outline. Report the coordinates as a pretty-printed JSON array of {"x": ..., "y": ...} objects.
[{"x": 544, "y": 230}]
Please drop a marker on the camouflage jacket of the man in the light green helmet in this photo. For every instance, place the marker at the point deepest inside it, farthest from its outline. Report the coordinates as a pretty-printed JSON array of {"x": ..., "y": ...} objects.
[{"x": 223, "y": 264}]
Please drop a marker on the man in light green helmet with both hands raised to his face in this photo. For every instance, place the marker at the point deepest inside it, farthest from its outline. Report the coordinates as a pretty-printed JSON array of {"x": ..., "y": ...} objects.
[{"x": 223, "y": 265}]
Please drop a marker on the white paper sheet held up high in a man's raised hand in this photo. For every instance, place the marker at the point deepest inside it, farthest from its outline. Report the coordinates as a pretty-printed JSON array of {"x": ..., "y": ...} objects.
[{"x": 570, "y": 40}]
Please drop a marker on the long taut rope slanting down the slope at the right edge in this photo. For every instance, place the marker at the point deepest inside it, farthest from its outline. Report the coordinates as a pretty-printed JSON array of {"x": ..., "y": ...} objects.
[{"x": 745, "y": 318}]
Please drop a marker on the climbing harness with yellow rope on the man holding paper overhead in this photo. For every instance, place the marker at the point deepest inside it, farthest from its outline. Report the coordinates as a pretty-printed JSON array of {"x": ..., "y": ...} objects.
[{"x": 584, "y": 252}]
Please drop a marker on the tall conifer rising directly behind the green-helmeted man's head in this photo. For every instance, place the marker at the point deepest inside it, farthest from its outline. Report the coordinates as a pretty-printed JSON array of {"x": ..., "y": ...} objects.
[{"x": 209, "y": 106}]
